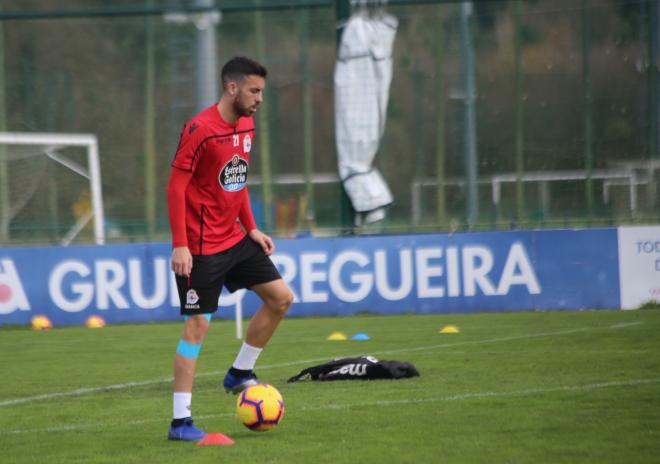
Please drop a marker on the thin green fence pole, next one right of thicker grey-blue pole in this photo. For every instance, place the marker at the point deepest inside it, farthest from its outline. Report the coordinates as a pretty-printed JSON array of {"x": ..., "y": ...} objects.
[{"x": 520, "y": 112}]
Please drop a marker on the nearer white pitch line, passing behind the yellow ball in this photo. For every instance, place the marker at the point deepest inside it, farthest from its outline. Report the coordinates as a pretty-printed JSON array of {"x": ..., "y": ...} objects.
[{"x": 361, "y": 404}]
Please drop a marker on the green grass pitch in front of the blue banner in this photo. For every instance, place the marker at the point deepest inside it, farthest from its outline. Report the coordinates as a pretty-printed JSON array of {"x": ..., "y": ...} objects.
[{"x": 532, "y": 387}]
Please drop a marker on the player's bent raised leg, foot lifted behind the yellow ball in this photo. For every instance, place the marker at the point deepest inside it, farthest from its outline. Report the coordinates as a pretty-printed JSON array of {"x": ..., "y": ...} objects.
[{"x": 277, "y": 298}]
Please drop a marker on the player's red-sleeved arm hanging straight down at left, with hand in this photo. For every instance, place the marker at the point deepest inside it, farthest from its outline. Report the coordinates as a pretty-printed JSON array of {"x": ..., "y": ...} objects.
[{"x": 176, "y": 205}]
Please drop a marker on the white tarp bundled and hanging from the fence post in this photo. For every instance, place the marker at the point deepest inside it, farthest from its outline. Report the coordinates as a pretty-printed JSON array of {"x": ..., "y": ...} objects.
[{"x": 363, "y": 74}]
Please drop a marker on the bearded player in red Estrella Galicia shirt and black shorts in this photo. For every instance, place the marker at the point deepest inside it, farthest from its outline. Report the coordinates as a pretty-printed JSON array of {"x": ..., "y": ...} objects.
[{"x": 214, "y": 237}]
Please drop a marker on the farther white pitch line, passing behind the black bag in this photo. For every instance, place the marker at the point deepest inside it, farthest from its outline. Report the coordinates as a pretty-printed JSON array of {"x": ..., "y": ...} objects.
[{"x": 122, "y": 386}]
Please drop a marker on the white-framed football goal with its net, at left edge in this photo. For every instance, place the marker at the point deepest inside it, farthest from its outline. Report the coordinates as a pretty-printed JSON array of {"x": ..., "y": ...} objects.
[{"x": 50, "y": 188}]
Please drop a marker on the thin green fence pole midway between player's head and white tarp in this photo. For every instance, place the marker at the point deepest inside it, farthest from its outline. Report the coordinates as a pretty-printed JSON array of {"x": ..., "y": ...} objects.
[{"x": 308, "y": 134}]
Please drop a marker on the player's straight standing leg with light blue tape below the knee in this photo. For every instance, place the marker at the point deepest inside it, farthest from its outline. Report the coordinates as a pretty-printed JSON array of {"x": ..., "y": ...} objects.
[{"x": 185, "y": 361}]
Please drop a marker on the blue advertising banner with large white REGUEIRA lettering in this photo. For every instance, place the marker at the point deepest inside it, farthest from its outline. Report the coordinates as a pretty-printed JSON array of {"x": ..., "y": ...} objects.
[{"x": 434, "y": 273}]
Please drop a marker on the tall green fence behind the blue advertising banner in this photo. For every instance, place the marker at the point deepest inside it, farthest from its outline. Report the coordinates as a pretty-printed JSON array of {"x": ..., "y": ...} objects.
[{"x": 565, "y": 112}]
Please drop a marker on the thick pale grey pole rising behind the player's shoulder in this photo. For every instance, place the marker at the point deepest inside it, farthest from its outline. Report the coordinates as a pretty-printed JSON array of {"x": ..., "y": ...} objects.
[{"x": 206, "y": 57}]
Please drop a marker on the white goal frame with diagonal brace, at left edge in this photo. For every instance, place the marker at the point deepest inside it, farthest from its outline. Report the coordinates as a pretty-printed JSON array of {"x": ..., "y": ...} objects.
[{"x": 20, "y": 145}]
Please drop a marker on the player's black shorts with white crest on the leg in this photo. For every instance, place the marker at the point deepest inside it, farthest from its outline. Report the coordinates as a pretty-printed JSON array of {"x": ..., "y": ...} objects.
[{"x": 241, "y": 266}]
